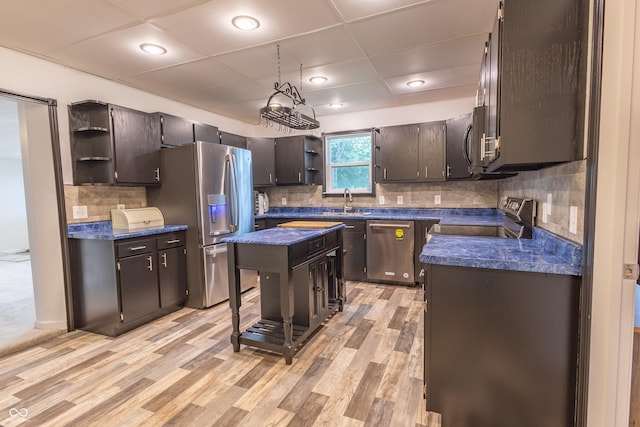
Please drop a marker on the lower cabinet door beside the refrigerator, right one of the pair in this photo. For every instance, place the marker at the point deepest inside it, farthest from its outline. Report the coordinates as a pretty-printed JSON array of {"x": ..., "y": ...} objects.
[{"x": 172, "y": 276}]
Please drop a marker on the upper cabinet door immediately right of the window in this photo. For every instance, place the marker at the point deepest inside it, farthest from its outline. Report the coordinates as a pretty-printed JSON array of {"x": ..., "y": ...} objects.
[{"x": 399, "y": 153}]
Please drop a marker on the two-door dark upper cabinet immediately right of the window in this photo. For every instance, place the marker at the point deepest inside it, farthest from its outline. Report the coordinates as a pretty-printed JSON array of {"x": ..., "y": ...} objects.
[{"x": 411, "y": 153}]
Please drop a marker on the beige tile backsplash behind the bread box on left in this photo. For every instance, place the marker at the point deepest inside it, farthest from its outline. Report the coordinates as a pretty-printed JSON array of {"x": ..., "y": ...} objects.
[{"x": 99, "y": 200}]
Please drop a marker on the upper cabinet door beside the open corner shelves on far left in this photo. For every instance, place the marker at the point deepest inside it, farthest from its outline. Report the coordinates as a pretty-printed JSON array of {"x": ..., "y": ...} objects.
[{"x": 137, "y": 146}]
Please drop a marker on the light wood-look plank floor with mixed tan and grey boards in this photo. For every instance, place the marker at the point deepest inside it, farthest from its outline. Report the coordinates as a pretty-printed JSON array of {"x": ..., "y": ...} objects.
[{"x": 364, "y": 367}]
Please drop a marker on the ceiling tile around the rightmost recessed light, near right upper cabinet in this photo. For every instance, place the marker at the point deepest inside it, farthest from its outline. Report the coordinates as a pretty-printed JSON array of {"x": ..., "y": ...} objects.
[{"x": 457, "y": 76}]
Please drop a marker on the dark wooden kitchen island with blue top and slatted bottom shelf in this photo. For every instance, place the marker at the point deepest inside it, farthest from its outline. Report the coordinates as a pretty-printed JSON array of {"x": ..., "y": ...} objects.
[{"x": 301, "y": 284}]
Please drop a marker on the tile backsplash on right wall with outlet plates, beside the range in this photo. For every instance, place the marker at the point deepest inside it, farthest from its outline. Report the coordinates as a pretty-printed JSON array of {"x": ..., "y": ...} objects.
[{"x": 566, "y": 185}]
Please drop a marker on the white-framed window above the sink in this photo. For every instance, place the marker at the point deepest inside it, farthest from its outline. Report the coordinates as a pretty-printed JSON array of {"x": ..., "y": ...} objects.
[{"x": 348, "y": 162}]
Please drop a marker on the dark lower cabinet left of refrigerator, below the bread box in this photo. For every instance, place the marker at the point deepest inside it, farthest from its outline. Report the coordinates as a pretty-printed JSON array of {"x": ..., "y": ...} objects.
[{"x": 122, "y": 284}]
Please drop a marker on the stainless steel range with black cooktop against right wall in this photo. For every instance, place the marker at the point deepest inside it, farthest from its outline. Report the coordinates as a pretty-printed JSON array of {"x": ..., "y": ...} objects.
[{"x": 518, "y": 222}]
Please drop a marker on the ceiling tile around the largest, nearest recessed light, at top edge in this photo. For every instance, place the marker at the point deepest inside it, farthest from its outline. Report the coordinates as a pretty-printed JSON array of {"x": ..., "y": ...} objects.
[{"x": 208, "y": 26}]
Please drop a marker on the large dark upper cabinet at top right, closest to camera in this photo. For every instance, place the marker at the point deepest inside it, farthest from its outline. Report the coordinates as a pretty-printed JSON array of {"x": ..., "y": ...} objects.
[{"x": 533, "y": 85}]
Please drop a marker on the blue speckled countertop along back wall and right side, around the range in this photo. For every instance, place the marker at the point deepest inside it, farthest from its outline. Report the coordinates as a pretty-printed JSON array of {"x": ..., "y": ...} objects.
[{"x": 544, "y": 253}]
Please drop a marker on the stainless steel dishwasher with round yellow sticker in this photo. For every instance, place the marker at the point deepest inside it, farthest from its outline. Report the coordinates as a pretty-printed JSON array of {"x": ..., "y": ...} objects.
[{"x": 390, "y": 251}]
